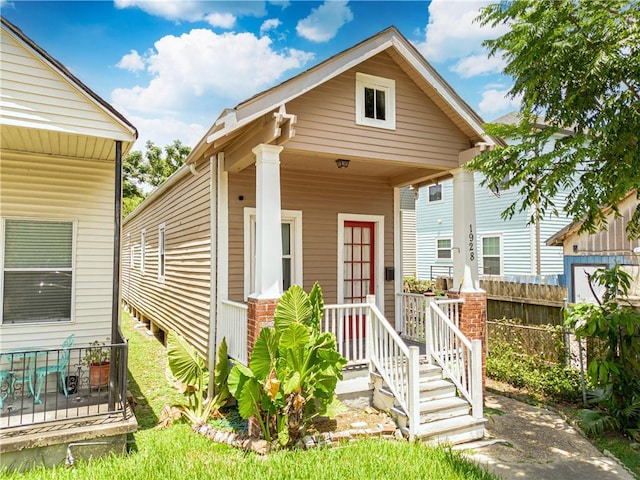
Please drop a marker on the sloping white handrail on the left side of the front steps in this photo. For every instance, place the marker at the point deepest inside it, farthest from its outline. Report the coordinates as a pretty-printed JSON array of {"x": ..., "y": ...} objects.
[{"x": 396, "y": 363}]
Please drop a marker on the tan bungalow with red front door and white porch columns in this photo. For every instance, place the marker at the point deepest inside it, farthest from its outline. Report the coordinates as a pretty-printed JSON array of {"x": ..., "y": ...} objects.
[{"x": 301, "y": 184}]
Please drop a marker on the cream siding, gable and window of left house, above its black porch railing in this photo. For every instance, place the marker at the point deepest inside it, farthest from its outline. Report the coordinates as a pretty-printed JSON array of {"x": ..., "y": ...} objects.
[{"x": 60, "y": 156}]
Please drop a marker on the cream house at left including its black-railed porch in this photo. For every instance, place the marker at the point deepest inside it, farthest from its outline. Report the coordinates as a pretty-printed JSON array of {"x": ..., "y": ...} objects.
[{"x": 60, "y": 168}]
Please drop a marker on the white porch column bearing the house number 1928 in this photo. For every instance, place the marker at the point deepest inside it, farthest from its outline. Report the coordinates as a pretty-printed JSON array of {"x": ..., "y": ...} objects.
[{"x": 465, "y": 244}]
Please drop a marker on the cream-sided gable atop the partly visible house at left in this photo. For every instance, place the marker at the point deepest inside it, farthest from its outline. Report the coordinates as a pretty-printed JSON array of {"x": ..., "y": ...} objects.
[{"x": 38, "y": 92}]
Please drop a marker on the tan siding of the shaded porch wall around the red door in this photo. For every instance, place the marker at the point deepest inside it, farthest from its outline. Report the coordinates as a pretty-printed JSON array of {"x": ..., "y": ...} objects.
[{"x": 320, "y": 198}]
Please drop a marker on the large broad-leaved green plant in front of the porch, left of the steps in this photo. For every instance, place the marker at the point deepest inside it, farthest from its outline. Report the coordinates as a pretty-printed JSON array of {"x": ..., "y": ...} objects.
[{"x": 293, "y": 370}]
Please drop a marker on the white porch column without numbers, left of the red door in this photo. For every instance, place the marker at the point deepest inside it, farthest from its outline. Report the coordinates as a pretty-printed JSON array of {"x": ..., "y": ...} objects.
[{"x": 268, "y": 222}]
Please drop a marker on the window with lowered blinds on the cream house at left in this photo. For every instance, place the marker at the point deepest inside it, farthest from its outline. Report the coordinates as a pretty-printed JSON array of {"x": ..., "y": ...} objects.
[{"x": 37, "y": 271}]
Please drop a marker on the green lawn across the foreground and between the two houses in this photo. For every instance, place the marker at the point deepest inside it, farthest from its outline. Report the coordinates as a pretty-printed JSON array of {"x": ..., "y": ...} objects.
[{"x": 178, "y": 453}]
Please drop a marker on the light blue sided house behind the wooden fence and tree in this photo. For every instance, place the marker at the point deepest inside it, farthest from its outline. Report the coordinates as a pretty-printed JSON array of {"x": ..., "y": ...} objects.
[{"x": 512, "y": 249}]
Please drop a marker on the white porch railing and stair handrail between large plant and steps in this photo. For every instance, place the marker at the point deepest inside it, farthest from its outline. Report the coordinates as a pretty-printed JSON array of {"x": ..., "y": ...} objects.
[{"x": 378, "y": 342}]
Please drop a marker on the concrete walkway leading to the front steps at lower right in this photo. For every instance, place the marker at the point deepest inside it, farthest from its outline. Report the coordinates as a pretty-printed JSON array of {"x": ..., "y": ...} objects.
[{"x": 536, "y": 443}]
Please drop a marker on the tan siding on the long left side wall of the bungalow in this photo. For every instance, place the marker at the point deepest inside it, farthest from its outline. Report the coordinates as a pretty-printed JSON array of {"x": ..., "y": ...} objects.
[{"x": 180, "y": 303}]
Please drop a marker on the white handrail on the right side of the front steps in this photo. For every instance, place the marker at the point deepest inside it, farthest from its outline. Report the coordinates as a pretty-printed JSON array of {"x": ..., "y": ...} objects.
[{"x": 459, "y": 358}]
